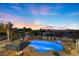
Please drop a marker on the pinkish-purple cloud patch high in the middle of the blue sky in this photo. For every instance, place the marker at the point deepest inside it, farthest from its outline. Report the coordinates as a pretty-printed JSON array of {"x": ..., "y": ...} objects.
[{"x": 42, "y": 10}]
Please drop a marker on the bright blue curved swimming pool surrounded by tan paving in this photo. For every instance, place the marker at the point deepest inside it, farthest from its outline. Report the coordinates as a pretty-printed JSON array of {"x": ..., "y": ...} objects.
[{"x": 44, "y": 46}]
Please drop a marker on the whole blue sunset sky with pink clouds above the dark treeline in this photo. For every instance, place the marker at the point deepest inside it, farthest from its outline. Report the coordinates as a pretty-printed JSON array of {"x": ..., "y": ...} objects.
[{"x": 47, "y": 14}]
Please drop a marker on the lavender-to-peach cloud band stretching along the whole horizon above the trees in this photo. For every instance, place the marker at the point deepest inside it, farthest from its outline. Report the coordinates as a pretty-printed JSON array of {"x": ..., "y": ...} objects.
[{"x": 36, "y": 24}]
